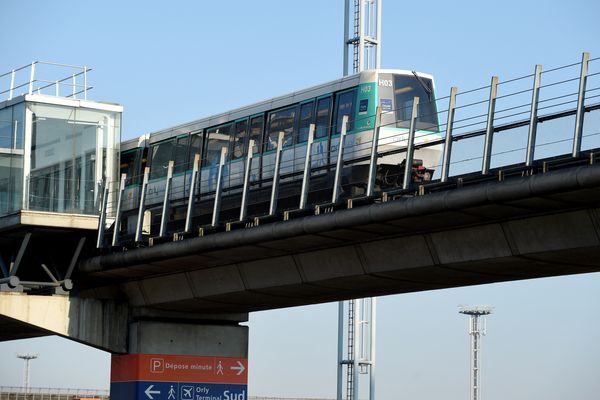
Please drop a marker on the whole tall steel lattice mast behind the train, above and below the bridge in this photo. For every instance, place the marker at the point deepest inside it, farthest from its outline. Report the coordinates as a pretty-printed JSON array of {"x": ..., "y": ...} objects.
[{"x": 360, "y": 333}]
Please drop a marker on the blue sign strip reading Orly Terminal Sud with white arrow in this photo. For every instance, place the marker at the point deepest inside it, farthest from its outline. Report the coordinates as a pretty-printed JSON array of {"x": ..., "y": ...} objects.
[{"x": 146, "y": 390}]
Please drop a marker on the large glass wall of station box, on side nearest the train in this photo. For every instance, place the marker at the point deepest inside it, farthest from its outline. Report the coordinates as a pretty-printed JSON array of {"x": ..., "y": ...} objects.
[{"x": 72, "y": 152}]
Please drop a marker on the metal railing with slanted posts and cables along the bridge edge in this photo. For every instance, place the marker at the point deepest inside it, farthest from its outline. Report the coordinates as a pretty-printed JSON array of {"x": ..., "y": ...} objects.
[{"x": 515, "y": 122}]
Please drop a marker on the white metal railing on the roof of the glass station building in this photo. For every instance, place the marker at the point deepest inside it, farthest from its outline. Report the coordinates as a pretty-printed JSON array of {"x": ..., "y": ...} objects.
[{"x": 49, "y": 78}]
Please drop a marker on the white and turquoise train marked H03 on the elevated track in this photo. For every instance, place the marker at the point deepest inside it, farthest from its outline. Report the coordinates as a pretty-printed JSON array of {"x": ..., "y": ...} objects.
[{"x": 359, "y": 97}]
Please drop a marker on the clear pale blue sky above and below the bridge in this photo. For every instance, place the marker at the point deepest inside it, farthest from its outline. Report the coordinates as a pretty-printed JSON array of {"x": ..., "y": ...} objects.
[{"x": 171, "y": 62}]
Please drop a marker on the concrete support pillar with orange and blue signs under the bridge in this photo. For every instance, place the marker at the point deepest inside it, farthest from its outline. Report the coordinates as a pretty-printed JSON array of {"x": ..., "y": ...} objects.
[{"x": 182, "y": 361}]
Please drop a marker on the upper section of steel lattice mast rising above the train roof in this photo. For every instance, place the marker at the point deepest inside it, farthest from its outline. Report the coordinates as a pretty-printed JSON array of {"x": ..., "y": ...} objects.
[{"x": 366, "y": 35}]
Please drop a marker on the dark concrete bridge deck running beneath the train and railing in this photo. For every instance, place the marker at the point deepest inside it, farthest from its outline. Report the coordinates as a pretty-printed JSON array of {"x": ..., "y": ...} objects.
[{"x": 521, "y": 227}]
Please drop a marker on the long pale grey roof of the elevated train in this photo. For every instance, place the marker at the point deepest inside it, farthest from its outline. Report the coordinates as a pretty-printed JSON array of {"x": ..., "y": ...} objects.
[{"x": 265, "y": 105}]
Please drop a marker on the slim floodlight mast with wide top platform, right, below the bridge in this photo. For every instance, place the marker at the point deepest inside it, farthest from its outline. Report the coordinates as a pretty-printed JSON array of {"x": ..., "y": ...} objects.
[{"x": 476, "y": 330}]
